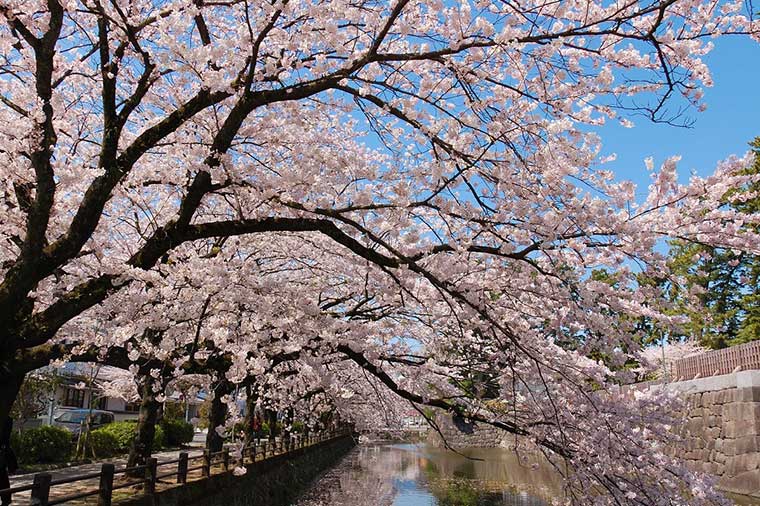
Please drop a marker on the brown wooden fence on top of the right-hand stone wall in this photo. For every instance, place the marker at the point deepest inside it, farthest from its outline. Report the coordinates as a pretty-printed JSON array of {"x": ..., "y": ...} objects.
[{"x": 712, "y": 363}]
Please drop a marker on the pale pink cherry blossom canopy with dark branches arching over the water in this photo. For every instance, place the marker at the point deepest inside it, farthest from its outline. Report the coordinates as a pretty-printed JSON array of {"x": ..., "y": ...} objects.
[{"x": 406, "y": 192}]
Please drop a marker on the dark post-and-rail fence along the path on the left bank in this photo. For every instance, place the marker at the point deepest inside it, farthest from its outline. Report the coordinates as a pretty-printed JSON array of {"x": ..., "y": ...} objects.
[{"x": 43, "y": 483}]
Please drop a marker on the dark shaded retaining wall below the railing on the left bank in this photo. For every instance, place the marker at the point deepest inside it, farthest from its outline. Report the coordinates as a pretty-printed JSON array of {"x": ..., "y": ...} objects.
[{"x": 276, "y": 481}]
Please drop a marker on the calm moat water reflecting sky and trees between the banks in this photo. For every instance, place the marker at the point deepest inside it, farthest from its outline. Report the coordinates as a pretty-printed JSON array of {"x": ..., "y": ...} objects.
[{"x": 410, "y": 475}]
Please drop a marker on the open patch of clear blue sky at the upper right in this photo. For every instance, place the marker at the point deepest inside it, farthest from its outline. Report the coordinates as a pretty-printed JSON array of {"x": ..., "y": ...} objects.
[{"x": 731, "y": 120}]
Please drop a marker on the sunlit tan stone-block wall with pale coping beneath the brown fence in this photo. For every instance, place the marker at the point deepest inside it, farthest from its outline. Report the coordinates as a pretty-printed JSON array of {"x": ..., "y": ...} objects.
[{"x": 721, "y": 429}]
